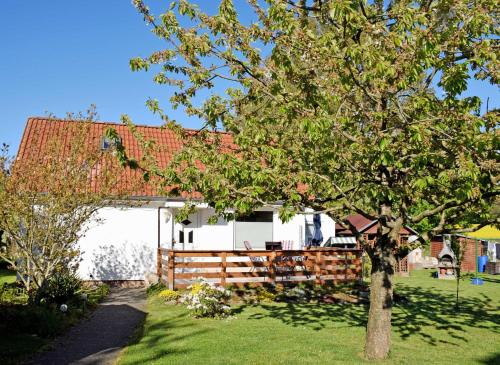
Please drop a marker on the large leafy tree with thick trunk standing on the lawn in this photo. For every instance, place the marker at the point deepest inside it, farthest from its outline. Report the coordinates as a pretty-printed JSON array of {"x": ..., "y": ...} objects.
[{"x": 343, "y": 106}]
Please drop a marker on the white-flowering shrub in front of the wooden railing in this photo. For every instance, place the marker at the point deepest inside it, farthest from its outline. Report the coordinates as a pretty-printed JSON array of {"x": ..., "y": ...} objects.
[{"x": 204, "y": 299}]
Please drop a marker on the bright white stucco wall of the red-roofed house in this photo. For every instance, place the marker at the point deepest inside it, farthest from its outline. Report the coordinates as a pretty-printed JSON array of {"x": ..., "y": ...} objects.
[{"x": 123, "y": 245}]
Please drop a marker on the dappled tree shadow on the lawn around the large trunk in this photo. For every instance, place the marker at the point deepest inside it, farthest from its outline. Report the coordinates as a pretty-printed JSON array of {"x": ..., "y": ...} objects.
[{"x": 427, "y": 313}]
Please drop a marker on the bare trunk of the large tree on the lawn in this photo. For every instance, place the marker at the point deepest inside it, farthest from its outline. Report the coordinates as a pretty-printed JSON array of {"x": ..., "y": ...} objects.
[{"x": 378, "y": 334}]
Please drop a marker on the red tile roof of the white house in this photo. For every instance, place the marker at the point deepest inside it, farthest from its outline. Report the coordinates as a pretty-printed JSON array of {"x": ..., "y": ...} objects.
[{"x": 39, "y": 130}]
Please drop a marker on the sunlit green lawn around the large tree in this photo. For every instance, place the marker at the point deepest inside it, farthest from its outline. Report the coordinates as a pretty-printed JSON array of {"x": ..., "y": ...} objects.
[{"x": 425, "y": 330}]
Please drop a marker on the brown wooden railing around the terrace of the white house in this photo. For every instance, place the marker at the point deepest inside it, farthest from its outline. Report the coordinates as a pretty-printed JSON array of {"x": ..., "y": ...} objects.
[{"x": 178, "y": 268}]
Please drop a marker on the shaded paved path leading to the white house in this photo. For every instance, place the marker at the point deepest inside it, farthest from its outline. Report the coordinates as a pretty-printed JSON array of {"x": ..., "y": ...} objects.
[{"x": 99, "y": 339}]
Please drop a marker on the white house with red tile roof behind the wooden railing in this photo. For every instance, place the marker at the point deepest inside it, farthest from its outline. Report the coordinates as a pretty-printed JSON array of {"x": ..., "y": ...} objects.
[{"x": 123, "y": 245}]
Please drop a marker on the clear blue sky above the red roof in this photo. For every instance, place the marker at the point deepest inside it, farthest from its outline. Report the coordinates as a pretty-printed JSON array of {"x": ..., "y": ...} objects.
[{"x": 61, "y": 56}]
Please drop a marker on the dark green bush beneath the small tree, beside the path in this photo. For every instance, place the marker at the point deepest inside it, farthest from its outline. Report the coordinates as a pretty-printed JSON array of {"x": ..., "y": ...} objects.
[{"x": 59, "y": 289}]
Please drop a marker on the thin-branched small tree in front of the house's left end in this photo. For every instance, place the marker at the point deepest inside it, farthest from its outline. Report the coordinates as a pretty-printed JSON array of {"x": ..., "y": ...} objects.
[{"x": 48, "y": 197}]
